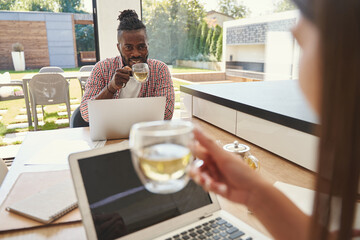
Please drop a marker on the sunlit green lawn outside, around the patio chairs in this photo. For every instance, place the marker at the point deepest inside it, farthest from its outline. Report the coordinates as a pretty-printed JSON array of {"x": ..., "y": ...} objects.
[{"x": 13, "y": 107}]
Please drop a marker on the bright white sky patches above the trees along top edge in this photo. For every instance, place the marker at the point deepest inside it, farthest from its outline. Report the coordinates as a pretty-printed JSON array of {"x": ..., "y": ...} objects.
[{"x": 257, "y": 7}]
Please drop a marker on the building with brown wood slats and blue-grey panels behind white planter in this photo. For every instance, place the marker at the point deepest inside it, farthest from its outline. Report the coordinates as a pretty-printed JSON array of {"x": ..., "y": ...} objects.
[{"x": 48, "y": 38}]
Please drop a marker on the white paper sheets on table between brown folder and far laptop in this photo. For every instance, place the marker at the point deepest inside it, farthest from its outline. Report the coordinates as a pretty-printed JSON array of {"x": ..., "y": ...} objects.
[{"x": 57, "y": 152}]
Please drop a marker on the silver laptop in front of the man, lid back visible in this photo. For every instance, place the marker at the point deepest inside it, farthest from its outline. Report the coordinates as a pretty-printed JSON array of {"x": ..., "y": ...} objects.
[{"x": 113, "y": 118}]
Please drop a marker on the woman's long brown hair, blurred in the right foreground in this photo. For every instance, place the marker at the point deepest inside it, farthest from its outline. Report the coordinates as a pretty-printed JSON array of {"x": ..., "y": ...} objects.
[{"x": 338, "y": 23}]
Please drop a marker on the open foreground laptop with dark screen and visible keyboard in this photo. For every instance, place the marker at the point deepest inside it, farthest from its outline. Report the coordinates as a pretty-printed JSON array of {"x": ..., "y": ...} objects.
[{"x": 115, "y": 205}]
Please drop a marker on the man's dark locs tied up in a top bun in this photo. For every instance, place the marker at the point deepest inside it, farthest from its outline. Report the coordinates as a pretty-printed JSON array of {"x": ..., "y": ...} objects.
[{"x": 129, "y": 20}]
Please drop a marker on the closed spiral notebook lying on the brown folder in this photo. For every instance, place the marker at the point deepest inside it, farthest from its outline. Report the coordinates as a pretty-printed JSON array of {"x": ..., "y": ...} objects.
[{"x": 47, "y": 205}]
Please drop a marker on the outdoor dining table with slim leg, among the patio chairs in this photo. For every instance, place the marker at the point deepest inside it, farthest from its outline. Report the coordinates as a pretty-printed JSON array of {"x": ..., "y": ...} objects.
[{"x": 28, "y": 77}]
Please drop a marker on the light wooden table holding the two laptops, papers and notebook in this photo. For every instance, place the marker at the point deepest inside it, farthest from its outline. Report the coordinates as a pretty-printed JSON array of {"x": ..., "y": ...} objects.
[{"x": 273, "y": 168}]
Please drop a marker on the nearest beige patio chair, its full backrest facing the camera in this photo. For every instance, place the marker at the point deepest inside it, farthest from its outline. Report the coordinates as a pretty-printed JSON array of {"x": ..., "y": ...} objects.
[{"x": 48, "y": 89}]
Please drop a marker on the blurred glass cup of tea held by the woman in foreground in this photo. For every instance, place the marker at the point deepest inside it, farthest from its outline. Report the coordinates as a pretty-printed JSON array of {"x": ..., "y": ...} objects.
[{"x": 161, "y": 155}]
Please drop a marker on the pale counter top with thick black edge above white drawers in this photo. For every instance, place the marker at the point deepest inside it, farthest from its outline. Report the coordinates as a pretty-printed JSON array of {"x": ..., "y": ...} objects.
[{"x": 280, "y": 102}]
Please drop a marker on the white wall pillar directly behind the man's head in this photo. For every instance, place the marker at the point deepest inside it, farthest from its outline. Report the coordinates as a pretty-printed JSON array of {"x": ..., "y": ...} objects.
[{"x": 107, "y": 14}]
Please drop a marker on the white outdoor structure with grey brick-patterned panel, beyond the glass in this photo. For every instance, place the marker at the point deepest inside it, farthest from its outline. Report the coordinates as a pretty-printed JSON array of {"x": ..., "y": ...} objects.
[{"x": 262, "y": 44}]
